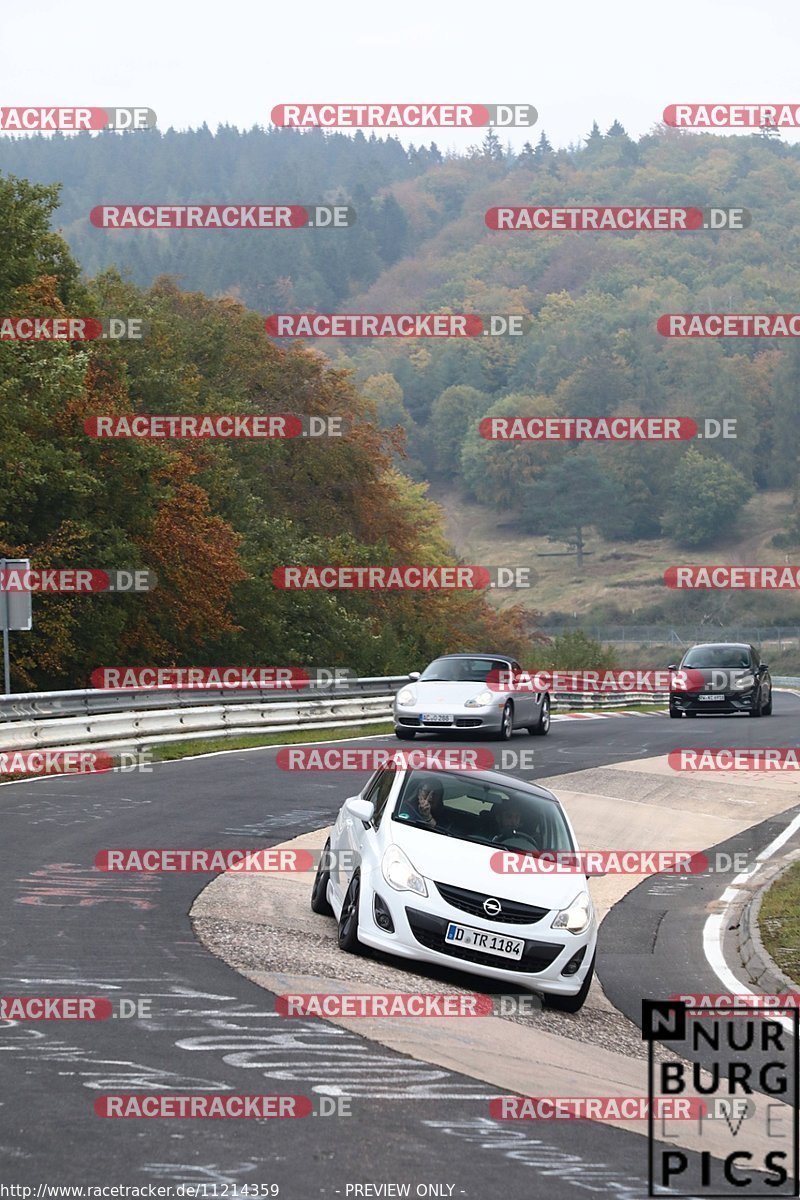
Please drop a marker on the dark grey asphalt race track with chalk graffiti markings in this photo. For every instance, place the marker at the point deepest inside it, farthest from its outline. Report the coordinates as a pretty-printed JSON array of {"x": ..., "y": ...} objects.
[{"x": 71, "y": 931}]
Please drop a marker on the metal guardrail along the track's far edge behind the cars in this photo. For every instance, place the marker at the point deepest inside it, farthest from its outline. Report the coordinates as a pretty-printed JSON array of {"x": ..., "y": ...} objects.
[{"x": 128, "y": 718}]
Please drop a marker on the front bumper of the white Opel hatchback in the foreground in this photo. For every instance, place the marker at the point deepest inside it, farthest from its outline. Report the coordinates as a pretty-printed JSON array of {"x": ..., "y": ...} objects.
[{"x": 420, "y": 925}]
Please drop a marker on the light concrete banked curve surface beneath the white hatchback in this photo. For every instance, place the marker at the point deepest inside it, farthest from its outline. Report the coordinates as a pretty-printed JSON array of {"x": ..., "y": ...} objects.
[{"x": 257, "y": 921}]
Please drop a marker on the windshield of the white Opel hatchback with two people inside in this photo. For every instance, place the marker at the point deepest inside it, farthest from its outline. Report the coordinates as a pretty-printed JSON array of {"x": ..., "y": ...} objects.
[{"x": 459, "y": 807}]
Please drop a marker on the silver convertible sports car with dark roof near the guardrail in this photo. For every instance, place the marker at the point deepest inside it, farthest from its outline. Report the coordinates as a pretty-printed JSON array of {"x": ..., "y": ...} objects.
[{"x": 471, "y": 692}]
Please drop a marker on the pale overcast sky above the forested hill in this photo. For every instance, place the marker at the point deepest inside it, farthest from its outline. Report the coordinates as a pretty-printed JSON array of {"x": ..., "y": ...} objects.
[{"x": 575, "y": 61}]
